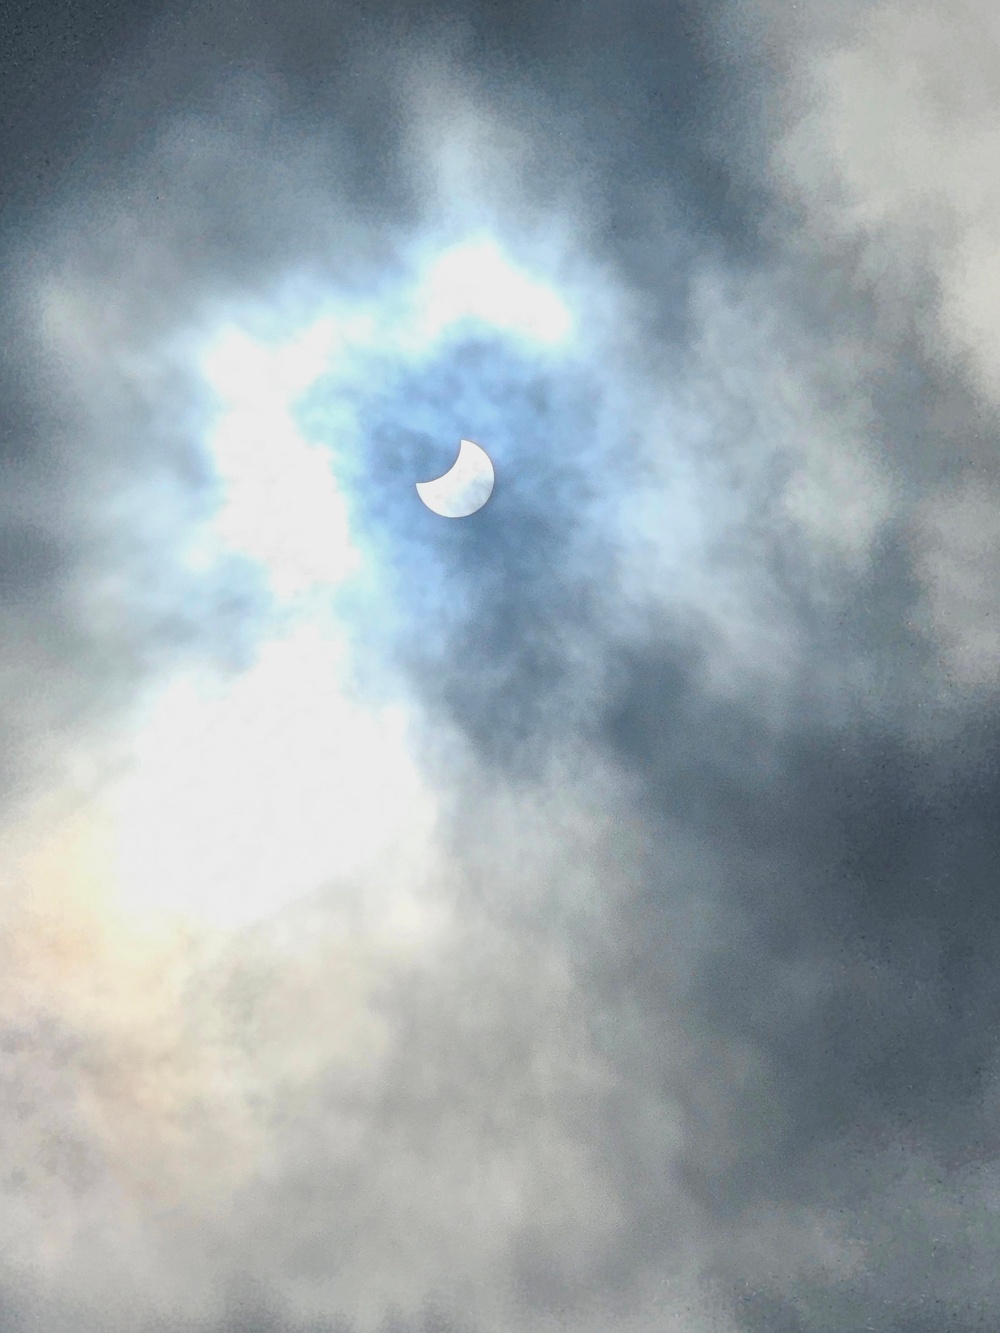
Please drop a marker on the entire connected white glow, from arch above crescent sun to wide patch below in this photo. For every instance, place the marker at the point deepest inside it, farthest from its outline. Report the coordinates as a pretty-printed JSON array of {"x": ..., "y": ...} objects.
[{"x": 245, "y": 796}]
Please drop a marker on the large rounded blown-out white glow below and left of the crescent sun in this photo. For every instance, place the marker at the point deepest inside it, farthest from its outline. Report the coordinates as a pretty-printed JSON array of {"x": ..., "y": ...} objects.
[{"x": 246, "y": 799}]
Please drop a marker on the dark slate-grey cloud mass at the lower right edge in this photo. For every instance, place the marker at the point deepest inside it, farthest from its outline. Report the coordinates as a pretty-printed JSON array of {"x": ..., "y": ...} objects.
[{"x": 849, "y": 966}]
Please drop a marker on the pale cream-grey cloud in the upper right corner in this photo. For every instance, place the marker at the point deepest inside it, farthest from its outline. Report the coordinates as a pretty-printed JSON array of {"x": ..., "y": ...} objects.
[{"x": 889, "y": 159}]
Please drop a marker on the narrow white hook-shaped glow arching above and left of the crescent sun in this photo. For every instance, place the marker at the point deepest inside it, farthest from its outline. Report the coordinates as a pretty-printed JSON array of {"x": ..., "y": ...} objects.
[{"x": 282, "y": 506}]
